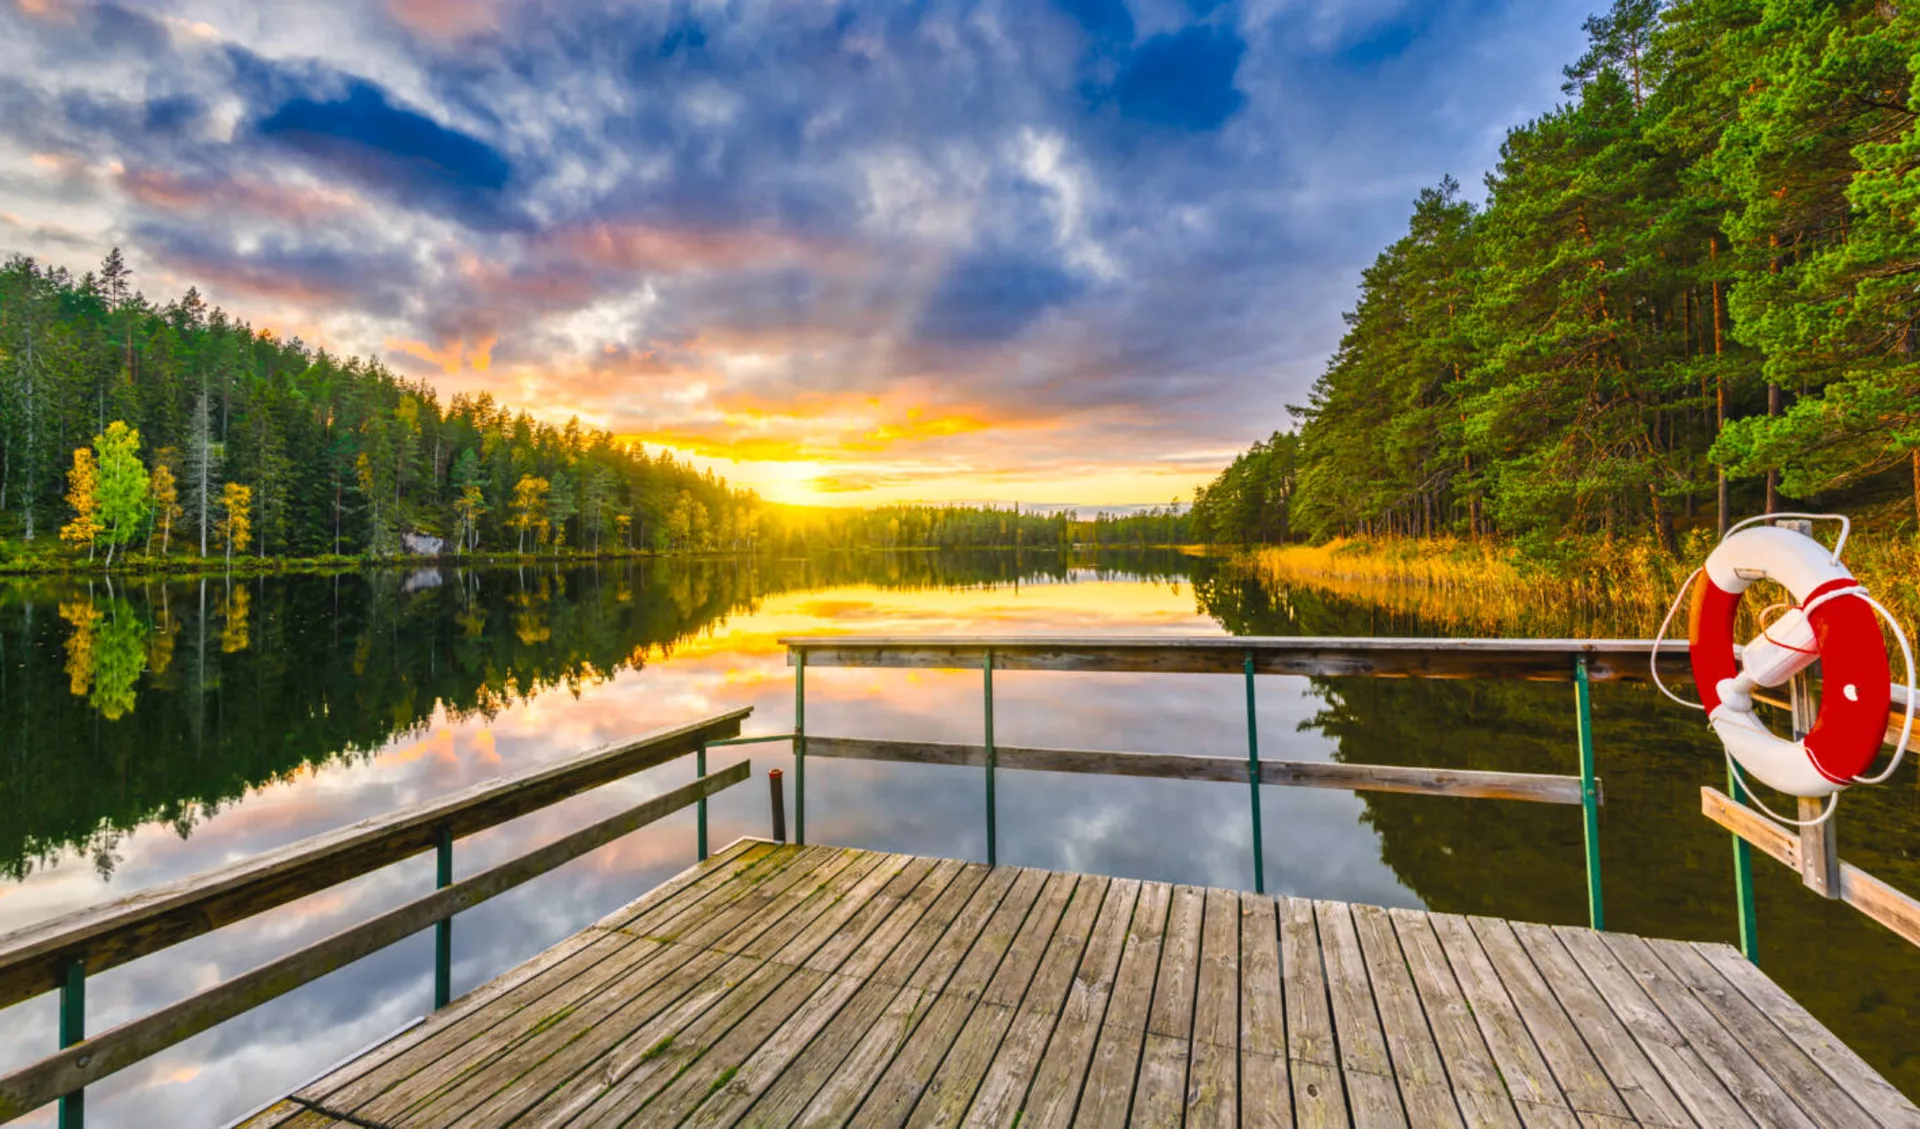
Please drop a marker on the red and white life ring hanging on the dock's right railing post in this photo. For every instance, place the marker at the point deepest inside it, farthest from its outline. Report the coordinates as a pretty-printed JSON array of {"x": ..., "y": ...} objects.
[{"x": 1833, "y": 623}]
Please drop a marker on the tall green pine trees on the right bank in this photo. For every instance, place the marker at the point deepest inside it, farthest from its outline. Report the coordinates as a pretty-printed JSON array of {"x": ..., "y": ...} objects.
[{"x": 1691, "y": 295}]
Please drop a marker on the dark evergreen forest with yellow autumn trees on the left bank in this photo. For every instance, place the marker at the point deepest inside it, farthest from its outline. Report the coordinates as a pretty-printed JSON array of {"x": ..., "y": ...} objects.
[{"x": 176, "y": 429}]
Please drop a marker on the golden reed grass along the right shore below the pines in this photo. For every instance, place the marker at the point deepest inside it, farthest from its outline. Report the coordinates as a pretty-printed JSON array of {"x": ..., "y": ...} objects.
[{"x": 1487, "y": 589}]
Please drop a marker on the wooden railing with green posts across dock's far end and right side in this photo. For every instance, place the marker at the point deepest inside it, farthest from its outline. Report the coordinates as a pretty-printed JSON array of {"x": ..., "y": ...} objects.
[{"x": 1812, "y": 852}]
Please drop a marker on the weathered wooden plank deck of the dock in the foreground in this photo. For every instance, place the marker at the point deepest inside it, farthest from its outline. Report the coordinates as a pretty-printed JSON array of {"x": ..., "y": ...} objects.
[{"x": 779, "y": 986}]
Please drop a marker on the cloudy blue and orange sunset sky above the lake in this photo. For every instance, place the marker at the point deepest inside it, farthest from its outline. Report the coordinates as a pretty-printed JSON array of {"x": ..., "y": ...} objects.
[{"x": 1047, "y": 251}]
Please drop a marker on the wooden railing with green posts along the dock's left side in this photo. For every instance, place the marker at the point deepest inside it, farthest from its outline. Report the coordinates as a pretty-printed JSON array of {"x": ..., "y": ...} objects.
[{"x": 59, "y": 955}]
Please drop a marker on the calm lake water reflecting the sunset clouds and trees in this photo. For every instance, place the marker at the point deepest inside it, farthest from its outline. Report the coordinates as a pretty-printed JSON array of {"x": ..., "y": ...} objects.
[{"x": 156, "y": 731}]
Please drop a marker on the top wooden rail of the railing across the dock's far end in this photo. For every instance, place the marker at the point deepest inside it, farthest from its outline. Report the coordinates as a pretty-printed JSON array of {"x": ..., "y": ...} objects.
[{"x": 1307, "y": 656}]
